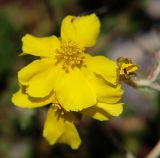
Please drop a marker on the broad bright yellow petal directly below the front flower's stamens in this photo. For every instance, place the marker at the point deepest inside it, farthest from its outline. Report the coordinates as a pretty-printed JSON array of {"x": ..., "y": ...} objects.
[{"x": 74, "y": 91}]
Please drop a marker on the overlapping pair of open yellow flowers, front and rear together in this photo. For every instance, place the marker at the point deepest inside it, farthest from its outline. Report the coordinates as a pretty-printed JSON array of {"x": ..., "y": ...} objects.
[{"x": 70, "y": 80}]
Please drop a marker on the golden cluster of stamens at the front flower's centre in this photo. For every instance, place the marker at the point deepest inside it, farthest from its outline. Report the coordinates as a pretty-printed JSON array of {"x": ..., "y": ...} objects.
[{"x": 71, "y": 54}]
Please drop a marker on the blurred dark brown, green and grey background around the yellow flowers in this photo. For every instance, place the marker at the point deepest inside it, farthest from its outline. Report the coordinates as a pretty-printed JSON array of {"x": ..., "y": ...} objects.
[{"x": 130, "y": 28}]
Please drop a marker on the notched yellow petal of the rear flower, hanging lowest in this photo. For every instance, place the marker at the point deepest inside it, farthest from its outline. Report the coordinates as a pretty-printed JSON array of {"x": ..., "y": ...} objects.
[{"x": 60, "y": 129}]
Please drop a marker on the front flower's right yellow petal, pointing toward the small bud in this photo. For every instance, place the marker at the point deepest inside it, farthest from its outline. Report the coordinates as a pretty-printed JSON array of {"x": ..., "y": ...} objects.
[{"x": 103, "y": 66}]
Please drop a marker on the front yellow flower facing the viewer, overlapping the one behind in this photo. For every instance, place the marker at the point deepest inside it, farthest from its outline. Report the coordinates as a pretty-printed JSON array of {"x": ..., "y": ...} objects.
[{"x": 65, "y": 68}]
